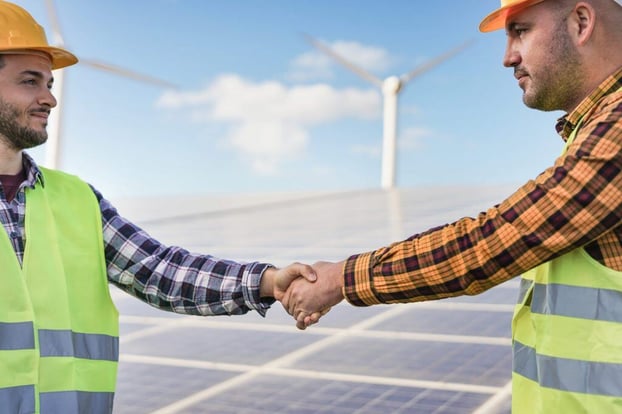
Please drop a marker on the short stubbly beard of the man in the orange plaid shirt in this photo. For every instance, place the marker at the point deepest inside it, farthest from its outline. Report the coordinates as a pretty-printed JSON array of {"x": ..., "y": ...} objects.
[{"x": 556, "y": 83}]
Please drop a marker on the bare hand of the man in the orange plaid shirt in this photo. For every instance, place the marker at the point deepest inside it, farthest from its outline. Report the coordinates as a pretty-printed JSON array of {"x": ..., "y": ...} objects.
[{"x": 306, "y": 302}]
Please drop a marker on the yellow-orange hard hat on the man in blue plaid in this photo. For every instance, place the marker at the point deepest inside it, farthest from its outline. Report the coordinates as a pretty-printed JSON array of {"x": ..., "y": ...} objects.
[{"x": 19, "y": 32}]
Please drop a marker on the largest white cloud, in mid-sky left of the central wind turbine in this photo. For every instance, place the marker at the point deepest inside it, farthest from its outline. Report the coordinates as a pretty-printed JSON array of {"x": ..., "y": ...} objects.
[{"x": 268, "y": 121}]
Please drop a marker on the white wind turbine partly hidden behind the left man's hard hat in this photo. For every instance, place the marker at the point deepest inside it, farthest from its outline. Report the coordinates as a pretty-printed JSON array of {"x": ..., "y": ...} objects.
[{"x": 54, "y": 143}]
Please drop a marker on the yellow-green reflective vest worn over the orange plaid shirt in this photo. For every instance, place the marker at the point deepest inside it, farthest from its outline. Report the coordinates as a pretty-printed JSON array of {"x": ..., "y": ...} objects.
[{"x": 567, "y": 338}]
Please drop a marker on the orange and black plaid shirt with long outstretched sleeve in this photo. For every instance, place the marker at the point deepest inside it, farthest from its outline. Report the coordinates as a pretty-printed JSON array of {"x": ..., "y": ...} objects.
[{"x": 575, "y": 203}]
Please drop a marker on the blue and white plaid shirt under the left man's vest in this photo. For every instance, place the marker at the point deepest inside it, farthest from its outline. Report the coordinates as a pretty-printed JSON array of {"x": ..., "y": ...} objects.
[{"x": 166, "y": 277}]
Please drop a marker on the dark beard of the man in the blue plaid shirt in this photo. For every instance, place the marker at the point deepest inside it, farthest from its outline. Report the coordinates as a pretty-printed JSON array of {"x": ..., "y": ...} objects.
[{"x": 18, "y": 137}]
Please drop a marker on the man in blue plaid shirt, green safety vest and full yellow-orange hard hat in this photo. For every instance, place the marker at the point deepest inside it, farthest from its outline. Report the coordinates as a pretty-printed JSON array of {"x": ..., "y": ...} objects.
[{"x": 63, "y": 243}]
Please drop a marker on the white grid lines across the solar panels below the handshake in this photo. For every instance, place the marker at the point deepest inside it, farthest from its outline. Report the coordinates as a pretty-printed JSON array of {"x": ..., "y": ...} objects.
[{"x": 284, "y": 367}]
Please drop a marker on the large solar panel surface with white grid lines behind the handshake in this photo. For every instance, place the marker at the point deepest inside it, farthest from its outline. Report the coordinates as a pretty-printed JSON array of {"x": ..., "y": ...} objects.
[{"x": 449, "y": 356}]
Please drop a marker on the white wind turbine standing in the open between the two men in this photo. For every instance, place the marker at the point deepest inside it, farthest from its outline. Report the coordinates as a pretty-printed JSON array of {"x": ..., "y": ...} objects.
[{"x": 390, "y": 87}]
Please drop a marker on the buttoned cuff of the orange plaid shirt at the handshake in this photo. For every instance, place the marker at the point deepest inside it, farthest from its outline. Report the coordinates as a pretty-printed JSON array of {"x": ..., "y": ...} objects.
[{"x": 358, "y": 274}]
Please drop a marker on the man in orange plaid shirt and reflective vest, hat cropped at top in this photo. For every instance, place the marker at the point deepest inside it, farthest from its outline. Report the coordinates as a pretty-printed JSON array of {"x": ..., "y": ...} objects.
[{"x": 560, "y": 232}]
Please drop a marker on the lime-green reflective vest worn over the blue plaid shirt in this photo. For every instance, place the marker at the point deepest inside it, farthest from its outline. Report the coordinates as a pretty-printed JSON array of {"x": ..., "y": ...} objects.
[{"x": 59, "y": 330}]
